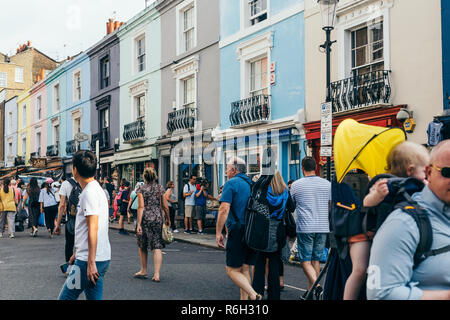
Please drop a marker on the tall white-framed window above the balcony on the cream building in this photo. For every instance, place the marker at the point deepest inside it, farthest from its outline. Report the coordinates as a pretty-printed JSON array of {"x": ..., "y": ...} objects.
[{"x": 367, "y": 45}]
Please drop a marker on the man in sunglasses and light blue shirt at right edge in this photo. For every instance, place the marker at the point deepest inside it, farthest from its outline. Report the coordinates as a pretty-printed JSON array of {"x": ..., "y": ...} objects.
[{"x": 391, "y": 272}]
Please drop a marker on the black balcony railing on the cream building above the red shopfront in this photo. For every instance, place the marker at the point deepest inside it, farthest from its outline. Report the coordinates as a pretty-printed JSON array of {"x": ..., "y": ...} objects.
[{"x": 361, "y": 91}]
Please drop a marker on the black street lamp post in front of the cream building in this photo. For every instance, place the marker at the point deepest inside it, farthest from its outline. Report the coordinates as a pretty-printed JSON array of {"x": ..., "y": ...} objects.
[{"x": 328, "y": 12}]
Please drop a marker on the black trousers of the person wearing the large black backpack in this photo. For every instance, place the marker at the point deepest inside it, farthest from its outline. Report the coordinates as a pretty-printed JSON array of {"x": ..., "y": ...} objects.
[{"x": 273, "y": 278}]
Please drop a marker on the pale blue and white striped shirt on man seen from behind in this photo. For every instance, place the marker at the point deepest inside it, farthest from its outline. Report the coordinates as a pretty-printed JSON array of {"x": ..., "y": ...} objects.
[{"x": 312, "y": 195}]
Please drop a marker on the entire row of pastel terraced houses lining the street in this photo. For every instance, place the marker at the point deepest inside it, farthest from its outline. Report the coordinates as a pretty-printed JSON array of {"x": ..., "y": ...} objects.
[{"x": 185, "y": 84}]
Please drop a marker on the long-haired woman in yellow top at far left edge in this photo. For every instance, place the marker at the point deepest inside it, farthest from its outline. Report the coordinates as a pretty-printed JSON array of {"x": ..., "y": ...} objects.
[{"x": 8, "y": 208}]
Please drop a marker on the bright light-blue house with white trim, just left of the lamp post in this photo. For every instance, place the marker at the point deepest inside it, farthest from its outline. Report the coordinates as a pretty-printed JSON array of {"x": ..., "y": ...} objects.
[{"x": 262, "y": 79}]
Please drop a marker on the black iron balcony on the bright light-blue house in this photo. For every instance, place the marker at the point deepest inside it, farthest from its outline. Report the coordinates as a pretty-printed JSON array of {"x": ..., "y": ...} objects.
[{"x": 250, "y": 111}]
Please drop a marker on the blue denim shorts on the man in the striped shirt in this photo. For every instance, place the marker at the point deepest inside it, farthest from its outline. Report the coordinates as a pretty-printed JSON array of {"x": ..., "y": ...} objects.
[{"x": 310, "y": 246}]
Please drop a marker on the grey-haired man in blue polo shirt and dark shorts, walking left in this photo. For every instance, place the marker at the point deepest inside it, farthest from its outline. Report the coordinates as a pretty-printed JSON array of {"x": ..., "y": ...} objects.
[{"x": 239, "y": 257}]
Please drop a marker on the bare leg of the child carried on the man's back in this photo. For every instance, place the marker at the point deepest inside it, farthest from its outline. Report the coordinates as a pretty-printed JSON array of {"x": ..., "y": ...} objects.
[{"x": 359, "y": 253}]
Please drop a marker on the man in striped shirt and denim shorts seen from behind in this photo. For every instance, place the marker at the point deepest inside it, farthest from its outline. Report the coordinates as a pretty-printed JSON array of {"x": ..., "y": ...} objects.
[{"x": 312, "y": 196}]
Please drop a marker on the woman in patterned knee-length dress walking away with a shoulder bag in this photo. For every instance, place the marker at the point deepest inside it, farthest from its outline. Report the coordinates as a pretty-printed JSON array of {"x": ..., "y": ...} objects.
[{"x": 152, "y": 213}]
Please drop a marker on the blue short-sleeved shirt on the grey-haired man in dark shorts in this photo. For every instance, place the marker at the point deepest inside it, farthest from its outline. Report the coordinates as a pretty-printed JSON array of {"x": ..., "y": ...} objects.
[{"x": 236, "y": 192}]
